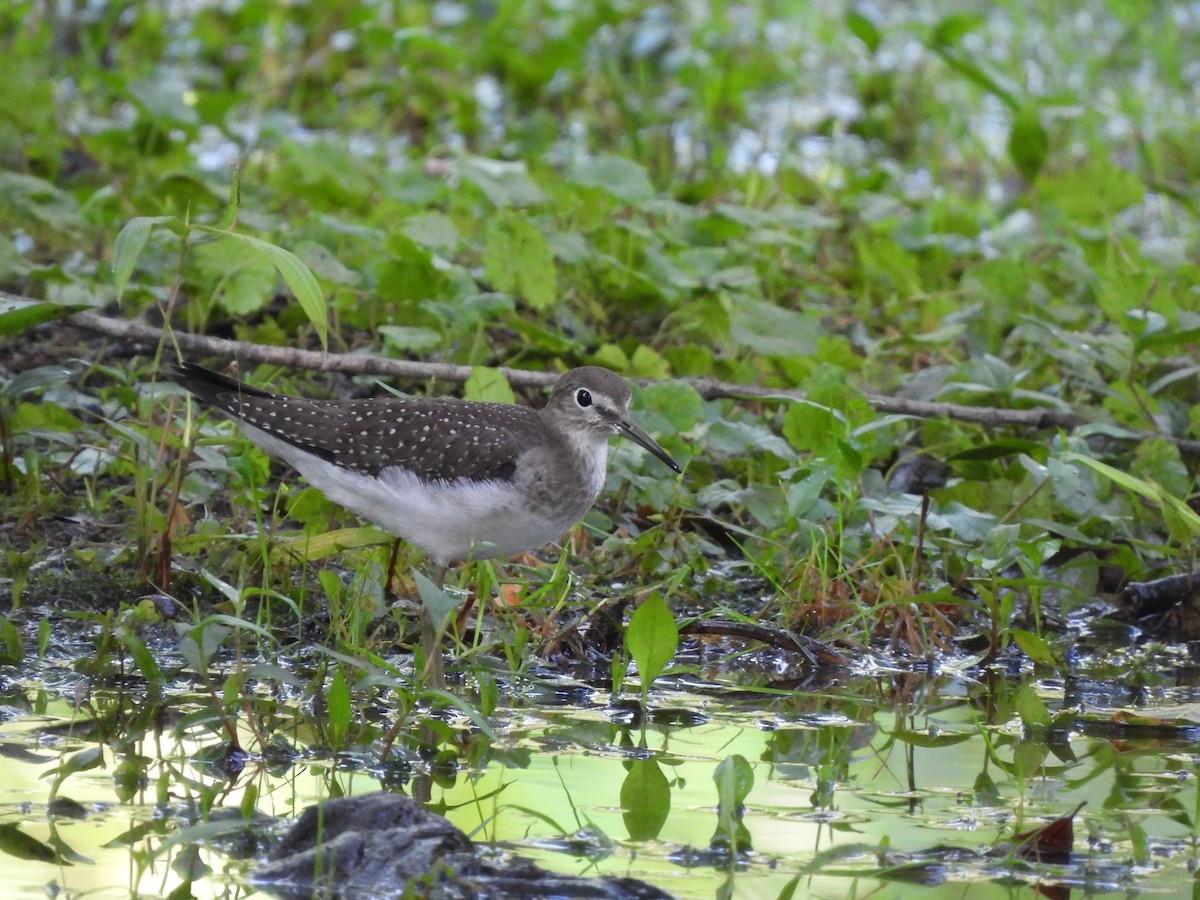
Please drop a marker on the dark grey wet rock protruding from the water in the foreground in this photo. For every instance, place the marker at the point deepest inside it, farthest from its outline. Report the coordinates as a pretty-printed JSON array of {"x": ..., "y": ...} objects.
[{"x": 383, "y": 845}]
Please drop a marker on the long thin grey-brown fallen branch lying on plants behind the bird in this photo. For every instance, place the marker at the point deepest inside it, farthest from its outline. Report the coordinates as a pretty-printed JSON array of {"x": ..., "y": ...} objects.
[{"x": 1037, "y": 418}]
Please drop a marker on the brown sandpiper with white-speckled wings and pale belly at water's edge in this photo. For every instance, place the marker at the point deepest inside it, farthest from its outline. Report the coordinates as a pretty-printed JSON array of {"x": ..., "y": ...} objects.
[{"x": 460, "y": 479}]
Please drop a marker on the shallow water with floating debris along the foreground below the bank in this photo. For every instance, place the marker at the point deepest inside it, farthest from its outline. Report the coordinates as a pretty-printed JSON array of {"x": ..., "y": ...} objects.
[{"x": 867, "y": 775}]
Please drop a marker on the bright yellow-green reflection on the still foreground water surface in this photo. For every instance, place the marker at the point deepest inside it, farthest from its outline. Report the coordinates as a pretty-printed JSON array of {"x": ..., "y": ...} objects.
[{"x": 821, "y": 782}]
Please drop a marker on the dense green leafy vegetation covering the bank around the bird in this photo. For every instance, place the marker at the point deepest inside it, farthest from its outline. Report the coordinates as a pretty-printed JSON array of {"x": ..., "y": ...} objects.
[{"x": 992, "y": 209}]
